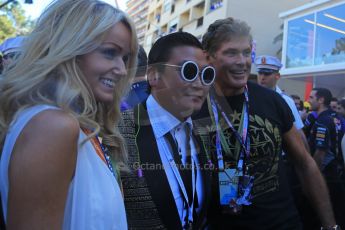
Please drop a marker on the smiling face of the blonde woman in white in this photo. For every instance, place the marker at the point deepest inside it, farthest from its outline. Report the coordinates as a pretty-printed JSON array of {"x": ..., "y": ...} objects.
[{"x": 106, "y": 65}]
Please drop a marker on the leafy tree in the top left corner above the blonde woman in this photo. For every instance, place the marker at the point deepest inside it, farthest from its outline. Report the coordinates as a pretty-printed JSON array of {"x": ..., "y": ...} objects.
[{"x": 13, "y": 21}]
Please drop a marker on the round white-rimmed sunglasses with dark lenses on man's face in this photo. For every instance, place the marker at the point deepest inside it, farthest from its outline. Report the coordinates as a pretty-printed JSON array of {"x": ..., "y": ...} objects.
[{"x": 190, "y": 70}]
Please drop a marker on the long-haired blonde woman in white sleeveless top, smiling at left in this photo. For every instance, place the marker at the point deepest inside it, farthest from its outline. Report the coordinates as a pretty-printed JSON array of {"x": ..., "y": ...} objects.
[{"x": 63, "y": 93}]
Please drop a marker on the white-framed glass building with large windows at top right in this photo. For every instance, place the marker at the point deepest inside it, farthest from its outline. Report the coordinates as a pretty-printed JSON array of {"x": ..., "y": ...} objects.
[{"x": 314, "y": 47}]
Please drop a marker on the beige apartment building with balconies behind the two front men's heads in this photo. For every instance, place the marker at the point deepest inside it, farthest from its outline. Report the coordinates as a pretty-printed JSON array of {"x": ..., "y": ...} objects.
[{"x": 194, "y": 16}]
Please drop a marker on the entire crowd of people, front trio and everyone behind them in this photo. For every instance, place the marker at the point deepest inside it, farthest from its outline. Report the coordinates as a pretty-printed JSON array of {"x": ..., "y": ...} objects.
[{"x": 96, "y": 134}]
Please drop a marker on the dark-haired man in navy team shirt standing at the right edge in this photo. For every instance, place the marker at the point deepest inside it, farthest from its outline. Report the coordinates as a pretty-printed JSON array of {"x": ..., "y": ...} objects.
[{"x": 325, "y": 145}]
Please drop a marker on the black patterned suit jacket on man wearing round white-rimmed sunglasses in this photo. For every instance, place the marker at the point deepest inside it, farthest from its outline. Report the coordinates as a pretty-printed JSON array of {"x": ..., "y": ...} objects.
[{"x": 148, "y": 199}]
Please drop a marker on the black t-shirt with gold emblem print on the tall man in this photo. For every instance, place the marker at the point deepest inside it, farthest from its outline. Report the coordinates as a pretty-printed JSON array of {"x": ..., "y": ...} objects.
[{"x": 272, "y": 205}]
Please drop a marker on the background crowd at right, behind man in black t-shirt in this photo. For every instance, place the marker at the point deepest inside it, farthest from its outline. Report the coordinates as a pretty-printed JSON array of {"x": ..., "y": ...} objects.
[{"x": 322, "y": 129}]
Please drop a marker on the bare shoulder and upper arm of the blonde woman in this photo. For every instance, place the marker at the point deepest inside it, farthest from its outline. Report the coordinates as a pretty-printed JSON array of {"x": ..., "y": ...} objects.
[{"x": 43, "y": 164}]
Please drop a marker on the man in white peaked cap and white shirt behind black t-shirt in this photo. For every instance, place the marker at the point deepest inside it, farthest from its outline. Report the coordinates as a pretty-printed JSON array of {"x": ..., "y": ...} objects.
[{"x": 268, "y": 75}]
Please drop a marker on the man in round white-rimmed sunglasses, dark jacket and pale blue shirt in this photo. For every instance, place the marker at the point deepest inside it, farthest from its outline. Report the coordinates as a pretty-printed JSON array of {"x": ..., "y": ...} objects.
[{"x": 168, "y": 185}]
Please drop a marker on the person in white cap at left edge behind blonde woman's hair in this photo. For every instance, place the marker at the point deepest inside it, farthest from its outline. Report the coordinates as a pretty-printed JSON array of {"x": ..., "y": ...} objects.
[{"x": 9, "y": 49}]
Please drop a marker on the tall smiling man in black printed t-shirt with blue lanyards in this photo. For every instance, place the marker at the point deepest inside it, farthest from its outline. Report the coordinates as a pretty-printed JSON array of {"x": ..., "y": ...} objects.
[{"x": 250, "y": 126}]
